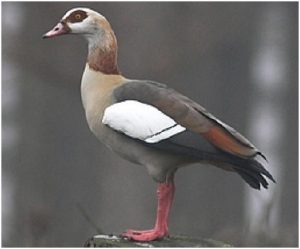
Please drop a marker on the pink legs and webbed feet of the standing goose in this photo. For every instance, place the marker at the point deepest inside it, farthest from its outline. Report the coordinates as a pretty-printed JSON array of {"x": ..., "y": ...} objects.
[{"x": 165, "y": 195}]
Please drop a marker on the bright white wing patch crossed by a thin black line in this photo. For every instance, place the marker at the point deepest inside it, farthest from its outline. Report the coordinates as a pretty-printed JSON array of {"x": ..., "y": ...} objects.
[{"x": 141, "y": 121}]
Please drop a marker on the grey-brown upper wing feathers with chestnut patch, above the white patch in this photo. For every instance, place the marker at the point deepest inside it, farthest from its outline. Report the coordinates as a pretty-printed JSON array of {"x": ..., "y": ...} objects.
[{"x": 188, "y": 114}]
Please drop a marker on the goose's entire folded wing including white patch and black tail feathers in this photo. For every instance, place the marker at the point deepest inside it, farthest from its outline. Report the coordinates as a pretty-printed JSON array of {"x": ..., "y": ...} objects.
[{"x": 166, "y": 120}]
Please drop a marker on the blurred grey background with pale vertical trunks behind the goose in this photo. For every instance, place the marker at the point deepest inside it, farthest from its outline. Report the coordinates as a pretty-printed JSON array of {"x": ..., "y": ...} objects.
[{"x": 60, "y": 186}]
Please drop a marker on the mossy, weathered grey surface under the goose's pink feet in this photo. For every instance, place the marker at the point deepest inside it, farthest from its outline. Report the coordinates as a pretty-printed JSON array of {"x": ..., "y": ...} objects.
[{"x": 173, "y": 241}]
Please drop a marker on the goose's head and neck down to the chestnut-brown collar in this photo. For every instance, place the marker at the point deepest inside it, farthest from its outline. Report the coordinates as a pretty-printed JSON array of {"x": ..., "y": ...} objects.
[{"x": 102, "y": 43}]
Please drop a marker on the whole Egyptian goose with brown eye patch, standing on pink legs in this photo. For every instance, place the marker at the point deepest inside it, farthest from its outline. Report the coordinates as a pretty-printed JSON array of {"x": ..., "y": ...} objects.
[{"x": 150, "y": 124}]
